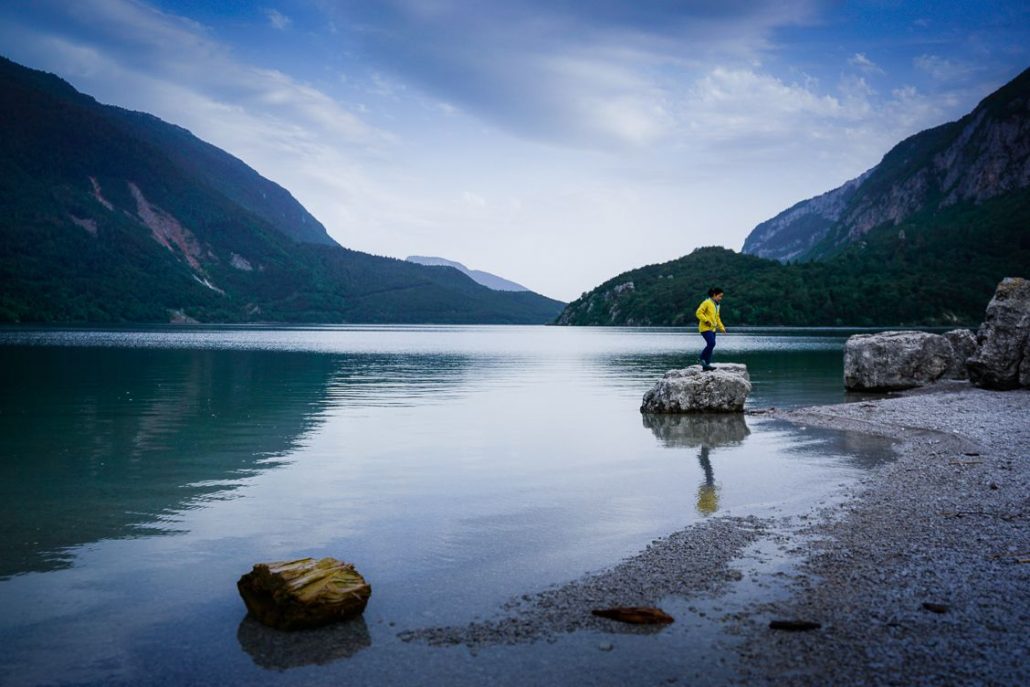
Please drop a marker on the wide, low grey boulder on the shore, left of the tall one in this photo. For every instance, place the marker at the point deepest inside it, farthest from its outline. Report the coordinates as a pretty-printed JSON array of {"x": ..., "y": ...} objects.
[{"x": 891, "y": 361}]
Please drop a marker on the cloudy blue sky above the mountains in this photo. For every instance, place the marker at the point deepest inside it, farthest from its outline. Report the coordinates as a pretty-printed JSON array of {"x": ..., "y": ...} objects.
[{"x": 554, "y": 143}]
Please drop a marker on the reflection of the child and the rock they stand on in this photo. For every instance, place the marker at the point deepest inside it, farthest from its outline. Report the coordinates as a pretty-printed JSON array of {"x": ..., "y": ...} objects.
[{"x": 705, "y": 433}]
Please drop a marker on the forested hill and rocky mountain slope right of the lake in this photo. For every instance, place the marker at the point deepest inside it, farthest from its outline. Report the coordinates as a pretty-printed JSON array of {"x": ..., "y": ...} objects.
[{"x": 921, "y": 239}]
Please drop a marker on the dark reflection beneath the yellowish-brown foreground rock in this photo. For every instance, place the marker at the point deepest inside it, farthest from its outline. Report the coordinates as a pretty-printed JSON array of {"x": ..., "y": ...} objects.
[{"x": 276, "y": 650}]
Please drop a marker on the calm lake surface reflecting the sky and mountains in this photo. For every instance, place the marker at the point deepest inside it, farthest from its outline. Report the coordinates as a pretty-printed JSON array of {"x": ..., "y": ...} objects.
[{"x": 144, "y": 471}]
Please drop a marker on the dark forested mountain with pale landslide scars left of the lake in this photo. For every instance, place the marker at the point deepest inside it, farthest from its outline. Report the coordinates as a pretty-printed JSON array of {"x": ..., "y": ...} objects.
[{"x": 112, "y": 216}]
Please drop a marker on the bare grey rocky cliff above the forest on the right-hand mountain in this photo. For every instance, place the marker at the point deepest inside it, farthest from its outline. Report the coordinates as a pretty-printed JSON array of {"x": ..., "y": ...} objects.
[{"x": 983, "y": 156}]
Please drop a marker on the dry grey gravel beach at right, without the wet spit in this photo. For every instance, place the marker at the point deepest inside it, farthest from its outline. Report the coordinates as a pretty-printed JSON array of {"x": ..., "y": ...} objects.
[{"x": 946, "y": 525}]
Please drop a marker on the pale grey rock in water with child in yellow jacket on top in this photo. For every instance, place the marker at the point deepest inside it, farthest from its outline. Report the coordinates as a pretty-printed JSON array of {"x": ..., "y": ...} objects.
[{"x": 694, "y": 391}]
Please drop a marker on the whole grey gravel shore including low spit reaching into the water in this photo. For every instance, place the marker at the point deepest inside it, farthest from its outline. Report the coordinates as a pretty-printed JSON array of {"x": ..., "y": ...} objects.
[{"x": 919, "y": 576}]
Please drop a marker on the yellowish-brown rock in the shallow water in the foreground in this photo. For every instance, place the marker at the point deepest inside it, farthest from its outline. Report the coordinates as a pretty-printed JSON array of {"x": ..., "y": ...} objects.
[{"x": 298, "y": 595}]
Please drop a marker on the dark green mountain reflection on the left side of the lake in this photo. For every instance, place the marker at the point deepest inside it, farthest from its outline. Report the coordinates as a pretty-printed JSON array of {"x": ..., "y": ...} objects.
[{"x": 102, "y": 443}]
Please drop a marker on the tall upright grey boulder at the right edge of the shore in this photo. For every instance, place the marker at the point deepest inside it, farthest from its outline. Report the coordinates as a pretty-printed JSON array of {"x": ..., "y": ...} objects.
[{"x": 1003, "y": 358}]
